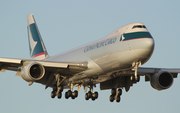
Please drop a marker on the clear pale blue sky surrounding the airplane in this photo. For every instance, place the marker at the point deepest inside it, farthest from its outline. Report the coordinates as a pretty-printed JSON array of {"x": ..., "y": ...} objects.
[{"x": 70, "y": 23}]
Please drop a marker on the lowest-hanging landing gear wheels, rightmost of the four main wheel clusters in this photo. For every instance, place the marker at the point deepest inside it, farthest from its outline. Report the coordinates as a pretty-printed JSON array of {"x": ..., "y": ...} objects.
[{"x": 115, "y": 95}]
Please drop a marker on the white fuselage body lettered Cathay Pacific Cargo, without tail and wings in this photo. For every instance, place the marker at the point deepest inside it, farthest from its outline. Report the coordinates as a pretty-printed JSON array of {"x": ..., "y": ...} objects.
[{"x": 119, "y": 50}]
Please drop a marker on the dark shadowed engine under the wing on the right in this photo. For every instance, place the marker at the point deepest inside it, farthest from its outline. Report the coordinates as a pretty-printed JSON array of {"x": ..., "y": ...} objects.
[{"x": 162, "y": 80}]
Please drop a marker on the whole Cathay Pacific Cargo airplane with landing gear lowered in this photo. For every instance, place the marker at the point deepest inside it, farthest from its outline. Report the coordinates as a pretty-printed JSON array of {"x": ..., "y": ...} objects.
[{"x": 114, "y": 62}]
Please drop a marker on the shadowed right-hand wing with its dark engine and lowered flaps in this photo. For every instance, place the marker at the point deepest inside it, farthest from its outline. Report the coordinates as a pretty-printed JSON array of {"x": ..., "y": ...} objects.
[{"x": 160, "y": 78}]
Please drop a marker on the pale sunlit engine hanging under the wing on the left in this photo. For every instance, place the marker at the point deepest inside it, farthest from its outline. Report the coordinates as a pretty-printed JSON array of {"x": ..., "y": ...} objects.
[{"x": 32, "y": 72}]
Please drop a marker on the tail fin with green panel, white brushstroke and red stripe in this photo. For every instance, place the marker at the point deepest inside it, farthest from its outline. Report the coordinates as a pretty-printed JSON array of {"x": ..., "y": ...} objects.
[{"x": 36, "y": 45}]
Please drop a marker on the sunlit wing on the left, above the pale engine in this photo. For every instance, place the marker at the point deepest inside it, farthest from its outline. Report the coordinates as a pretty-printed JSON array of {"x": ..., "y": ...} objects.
[{"x": 16, "y": 64}]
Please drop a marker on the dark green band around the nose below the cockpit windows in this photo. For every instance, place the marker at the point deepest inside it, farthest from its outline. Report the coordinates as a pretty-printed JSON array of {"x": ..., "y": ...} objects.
[{"x": 136, "y": 35}]
